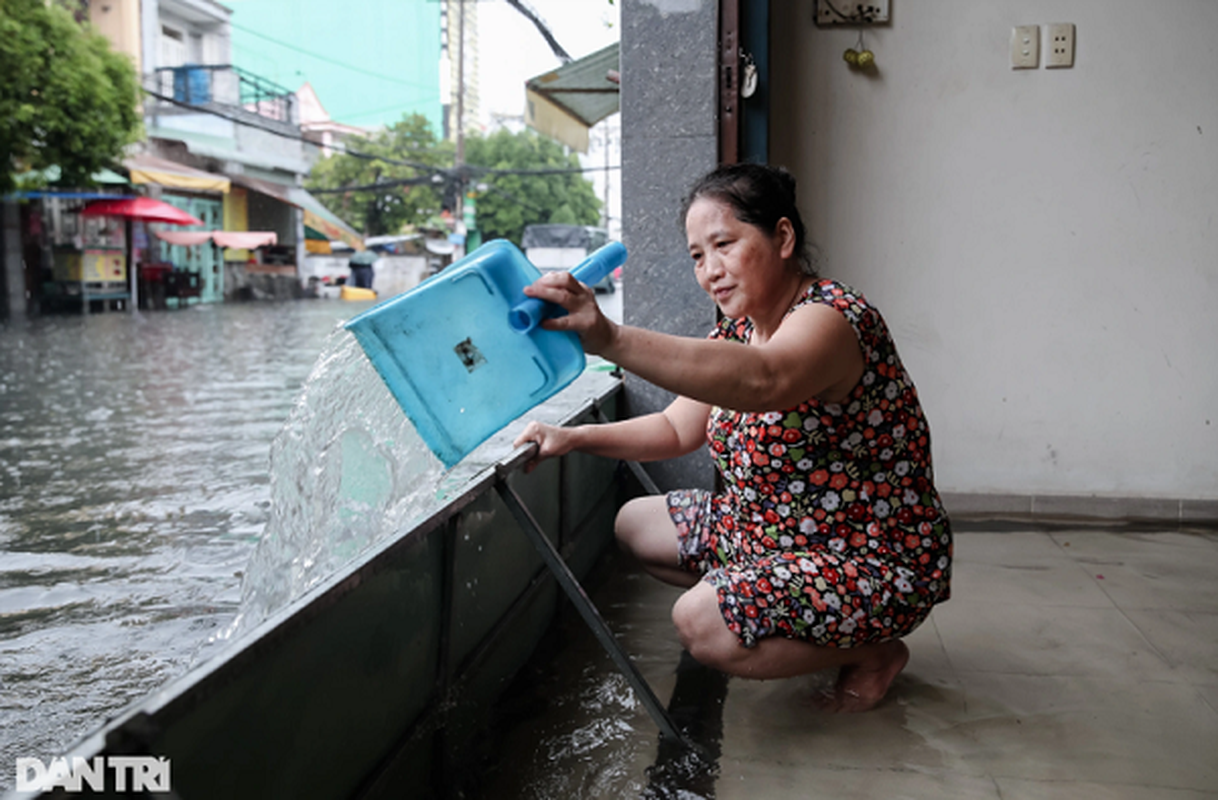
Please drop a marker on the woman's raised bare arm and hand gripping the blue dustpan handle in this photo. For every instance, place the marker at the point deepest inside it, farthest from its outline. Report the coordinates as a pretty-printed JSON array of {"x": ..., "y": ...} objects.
[{"x": 814, "y": 354}]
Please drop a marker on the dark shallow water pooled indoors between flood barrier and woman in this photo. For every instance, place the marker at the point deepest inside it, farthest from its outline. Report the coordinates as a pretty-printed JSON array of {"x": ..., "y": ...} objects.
[{"x": 571, "y": 726}]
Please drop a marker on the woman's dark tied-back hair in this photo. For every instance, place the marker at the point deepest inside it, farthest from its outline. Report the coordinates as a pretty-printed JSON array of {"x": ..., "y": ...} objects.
[{"x": 758, "y": 195}]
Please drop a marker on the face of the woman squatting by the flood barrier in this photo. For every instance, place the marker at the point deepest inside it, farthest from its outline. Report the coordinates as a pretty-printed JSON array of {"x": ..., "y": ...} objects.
[{"x": 744, "y": 268}]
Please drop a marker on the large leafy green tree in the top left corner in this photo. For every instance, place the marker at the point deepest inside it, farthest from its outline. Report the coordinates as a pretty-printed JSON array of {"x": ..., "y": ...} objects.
[{"x": 66, "y": 99}]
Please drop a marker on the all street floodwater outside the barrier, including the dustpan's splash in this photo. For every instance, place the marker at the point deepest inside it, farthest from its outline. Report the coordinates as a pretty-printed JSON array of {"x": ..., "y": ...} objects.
[{"x": 167, "y": 480}]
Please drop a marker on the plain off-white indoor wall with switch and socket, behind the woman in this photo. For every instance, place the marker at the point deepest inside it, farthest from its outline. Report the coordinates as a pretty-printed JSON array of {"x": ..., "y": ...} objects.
[{"x": 1041, "y": 242}]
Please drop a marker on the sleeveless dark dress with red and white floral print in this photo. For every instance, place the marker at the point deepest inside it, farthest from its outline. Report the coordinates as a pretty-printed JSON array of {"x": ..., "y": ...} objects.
[{"x": 829, "y": 528}]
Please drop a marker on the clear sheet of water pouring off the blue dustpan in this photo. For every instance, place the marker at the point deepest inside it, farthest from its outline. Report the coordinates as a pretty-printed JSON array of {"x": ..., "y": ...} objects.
[{"x": 347, "y": 471}]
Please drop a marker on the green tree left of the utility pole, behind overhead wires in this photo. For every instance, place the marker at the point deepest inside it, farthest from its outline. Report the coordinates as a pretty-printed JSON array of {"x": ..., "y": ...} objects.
[{"x": 412, "y": 193}]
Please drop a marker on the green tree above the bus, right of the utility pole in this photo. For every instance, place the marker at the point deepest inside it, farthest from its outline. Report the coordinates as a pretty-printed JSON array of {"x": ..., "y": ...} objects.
[{"x": 518, "y": 193}]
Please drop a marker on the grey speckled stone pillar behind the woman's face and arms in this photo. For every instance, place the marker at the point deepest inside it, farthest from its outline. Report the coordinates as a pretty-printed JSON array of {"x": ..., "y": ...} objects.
[{"x": 669, "y": 139}]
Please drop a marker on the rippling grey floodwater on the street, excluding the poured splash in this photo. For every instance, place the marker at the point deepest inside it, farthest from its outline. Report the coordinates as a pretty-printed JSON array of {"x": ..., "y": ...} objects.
[{"x": 135, "y": 485}]
